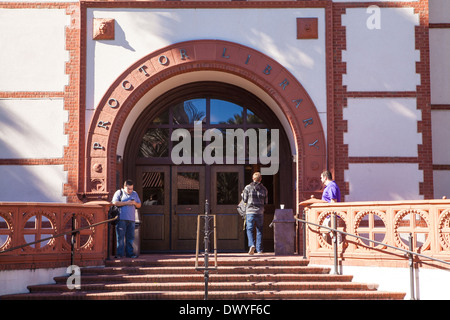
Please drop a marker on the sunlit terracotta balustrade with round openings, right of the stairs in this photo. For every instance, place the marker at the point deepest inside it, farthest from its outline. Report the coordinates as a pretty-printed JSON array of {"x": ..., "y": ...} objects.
[{"x": 427, "y": 222}]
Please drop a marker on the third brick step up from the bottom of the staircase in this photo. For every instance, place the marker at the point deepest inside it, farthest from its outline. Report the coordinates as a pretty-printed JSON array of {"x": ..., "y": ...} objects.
[{"x": 121, "y": 278}]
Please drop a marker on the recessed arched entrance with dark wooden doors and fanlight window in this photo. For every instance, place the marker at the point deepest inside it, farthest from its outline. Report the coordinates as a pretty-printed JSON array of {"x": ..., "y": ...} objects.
[{"x": 174, "y": 194}]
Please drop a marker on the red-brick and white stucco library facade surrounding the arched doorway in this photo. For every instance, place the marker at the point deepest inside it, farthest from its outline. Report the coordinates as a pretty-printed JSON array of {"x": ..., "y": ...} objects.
[{"x": 358, "y": 87}]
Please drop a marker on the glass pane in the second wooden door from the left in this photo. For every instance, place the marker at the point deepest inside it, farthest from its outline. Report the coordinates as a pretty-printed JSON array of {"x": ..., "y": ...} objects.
[{"x": 188, "y": 187}]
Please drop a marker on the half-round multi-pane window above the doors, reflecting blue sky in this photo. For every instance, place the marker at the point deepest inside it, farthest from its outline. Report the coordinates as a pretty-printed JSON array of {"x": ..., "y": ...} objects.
[{"x": 211, "y": 114}]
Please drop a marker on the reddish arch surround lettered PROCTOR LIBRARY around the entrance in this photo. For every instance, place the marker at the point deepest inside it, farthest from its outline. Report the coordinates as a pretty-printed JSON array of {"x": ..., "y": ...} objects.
[{"x": 116, "y": 117}]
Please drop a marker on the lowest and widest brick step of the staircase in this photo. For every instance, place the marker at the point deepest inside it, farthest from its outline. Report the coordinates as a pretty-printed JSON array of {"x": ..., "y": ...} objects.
[{"x": 219, "y": 295}]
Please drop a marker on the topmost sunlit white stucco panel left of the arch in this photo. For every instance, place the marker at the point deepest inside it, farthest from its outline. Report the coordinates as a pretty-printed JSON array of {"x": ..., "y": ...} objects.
[{"x": 33, "y": 56}]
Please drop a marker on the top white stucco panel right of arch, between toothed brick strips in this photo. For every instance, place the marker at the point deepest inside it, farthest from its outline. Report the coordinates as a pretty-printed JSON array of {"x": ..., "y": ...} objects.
[{"x": 381, "y": 57}]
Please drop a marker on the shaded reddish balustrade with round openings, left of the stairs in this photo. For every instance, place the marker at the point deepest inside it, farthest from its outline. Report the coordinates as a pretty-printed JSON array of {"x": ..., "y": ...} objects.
[{"x": 27, "y": 223}]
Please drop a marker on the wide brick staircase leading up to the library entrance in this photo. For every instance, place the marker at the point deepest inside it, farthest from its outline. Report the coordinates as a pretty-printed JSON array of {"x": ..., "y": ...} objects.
[{"x": 238, "y": 277}]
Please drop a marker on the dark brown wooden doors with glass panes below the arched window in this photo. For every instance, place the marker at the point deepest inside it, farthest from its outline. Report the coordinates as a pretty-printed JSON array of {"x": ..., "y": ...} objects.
[{"x": 172, "y": 198}]
